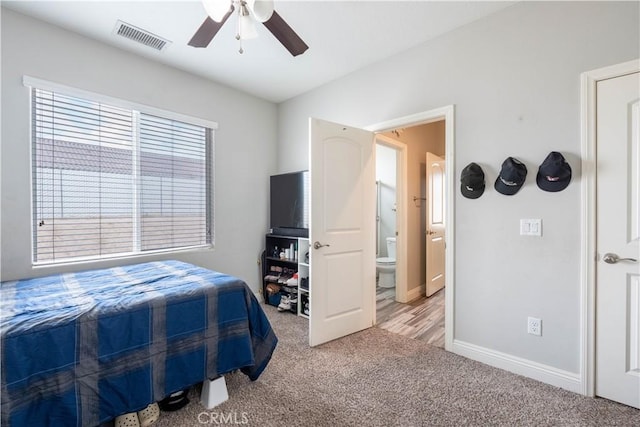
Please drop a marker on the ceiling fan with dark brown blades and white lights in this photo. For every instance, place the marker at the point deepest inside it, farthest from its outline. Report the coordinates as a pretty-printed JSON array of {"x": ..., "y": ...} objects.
[{"x": 248, "y": 12}]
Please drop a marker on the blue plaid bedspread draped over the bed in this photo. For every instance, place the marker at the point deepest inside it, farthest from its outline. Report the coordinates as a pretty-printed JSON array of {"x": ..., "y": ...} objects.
[{"x": 81, "y": 348}]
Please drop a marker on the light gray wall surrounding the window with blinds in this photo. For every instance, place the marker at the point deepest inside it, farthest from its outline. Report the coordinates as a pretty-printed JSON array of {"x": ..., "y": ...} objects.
[{"x": 245, "y": 156}]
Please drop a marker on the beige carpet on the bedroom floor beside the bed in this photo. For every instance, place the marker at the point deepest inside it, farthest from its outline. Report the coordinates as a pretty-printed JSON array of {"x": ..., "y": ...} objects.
[{"x": 377, "y": 378}]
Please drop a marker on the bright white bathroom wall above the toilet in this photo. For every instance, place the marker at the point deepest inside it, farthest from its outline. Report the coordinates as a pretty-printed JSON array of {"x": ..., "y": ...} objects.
[{"x": 386, "y": 177}]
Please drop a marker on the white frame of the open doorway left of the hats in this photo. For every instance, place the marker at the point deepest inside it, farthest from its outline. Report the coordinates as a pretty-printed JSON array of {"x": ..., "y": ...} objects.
[{"x": 446, "y": 113}]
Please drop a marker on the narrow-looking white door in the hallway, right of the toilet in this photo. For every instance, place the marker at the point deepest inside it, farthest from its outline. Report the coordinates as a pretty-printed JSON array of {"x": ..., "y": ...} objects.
[{"x": 435, "y": 237}]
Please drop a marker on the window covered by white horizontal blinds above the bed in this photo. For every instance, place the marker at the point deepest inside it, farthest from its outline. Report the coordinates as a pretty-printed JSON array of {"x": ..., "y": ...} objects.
[{"x": 111, "y": 181}]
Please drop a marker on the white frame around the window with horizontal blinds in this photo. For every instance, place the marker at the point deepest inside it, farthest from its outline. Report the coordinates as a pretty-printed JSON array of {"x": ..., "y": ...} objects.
[{"x": 33, "y": 83}]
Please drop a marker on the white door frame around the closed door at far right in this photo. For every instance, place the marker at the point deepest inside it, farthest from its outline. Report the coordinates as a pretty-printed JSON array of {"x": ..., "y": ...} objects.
[{"x": 589, "y": 253}]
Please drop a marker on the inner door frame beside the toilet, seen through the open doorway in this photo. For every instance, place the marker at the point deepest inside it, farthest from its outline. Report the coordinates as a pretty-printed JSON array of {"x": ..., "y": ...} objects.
[{"x": 401, "y": 214}]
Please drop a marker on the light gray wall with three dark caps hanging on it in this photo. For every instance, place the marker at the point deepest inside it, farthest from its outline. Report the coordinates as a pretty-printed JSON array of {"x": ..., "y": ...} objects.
[{"x": 514, "y": 78}]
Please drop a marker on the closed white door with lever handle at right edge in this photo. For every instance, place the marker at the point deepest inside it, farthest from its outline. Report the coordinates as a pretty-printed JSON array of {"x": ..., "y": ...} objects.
[{"x": 618, "y": 224}]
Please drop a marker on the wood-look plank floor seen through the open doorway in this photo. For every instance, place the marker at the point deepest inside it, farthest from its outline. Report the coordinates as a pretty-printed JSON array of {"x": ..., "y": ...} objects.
[{"x": 422, "y": 319}]
